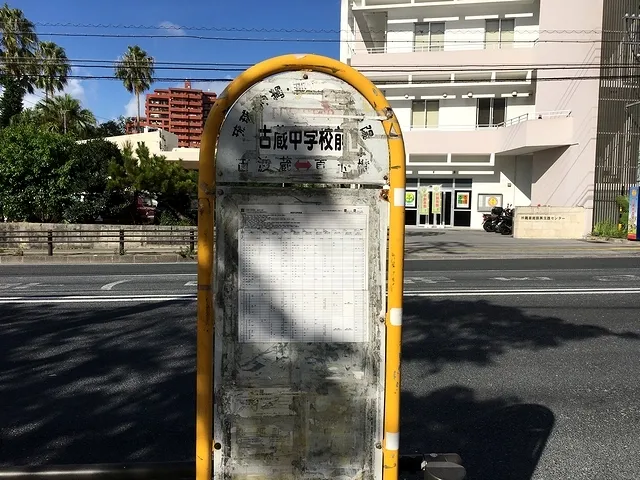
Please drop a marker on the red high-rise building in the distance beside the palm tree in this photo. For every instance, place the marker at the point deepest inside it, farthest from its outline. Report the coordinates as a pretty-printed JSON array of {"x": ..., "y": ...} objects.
[{"x": 179, "y": 110}]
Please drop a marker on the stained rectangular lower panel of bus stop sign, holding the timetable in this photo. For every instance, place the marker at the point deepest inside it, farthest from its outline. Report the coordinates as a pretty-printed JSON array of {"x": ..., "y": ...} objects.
[{"x": 299, "y": 341}]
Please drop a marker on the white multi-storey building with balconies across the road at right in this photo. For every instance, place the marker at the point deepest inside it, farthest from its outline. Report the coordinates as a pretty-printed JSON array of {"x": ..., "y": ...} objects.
[{"x": 522, "y": 102}]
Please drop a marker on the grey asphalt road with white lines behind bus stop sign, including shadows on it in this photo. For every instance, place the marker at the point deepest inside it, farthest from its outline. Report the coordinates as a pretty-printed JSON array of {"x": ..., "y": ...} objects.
[{"x": 530, "y": 365}]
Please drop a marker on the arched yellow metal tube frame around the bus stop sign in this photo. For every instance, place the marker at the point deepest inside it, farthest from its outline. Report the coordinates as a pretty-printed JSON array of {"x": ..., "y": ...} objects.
[{"x": 206, "y": 199}]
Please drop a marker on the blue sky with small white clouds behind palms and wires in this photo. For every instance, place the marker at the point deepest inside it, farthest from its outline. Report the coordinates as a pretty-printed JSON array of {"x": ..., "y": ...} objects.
[{"x": 108, "y": 99}]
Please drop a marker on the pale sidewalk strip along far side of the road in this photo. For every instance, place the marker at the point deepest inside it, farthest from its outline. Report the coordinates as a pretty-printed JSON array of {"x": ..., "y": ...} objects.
[{"x": 421, "y": 244}]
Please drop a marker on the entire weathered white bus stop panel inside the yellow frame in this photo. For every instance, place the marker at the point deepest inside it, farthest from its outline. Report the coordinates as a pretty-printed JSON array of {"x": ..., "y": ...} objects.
[{"x": 299, "y": 381}]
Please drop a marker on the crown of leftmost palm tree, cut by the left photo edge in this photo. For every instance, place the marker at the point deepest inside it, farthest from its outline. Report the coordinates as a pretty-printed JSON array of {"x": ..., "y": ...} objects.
[{"x": 18, "y": 42}]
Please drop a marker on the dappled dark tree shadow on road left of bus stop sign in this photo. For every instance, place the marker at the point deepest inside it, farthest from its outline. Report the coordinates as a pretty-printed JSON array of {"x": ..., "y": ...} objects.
[{"x": 101, "y": 385}]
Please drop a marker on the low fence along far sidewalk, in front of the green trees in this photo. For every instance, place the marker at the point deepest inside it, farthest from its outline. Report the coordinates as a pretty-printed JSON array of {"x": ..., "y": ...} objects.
[{"x": 120, "y": 237}]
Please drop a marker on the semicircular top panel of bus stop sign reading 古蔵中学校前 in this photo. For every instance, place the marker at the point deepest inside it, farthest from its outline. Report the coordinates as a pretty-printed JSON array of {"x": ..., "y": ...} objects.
[{"x": 305, "y": 127}]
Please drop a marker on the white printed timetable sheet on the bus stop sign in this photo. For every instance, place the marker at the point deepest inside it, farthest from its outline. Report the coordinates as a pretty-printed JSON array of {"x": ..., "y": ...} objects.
[{"x": 310, "y": 262}]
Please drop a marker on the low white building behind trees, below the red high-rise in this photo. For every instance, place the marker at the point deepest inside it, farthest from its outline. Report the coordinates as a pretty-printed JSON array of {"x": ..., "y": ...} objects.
[{"x": 160, "y": 142}]
